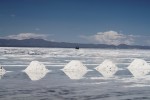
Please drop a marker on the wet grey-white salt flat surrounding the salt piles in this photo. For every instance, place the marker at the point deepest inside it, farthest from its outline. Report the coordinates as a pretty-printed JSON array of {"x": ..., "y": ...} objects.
[{"x": 56, "y": 85}]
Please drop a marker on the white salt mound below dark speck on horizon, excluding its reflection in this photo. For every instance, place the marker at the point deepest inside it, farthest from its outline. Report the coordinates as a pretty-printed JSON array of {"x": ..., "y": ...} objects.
[{"x": 75, "y": 65}]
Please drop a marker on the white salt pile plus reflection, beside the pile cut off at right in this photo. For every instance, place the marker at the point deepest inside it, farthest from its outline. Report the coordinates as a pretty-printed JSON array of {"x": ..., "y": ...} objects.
[{"x": 107, "y": 68}]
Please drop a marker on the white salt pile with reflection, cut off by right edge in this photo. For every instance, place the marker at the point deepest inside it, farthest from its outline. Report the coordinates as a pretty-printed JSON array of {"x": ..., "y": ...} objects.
[{"x": 139, "y": 68}]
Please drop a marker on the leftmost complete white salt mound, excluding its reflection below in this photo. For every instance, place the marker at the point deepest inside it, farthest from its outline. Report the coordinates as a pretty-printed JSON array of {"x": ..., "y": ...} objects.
[{"x": 36, "y": 66}]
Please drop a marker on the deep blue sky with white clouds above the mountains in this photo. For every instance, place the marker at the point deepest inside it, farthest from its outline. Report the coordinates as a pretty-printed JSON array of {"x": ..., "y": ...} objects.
[{"x": 83, "y": 21}]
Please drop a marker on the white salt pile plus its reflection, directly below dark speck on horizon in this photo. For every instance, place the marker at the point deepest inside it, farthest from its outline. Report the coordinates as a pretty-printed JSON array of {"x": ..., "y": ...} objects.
[{"x": 75, "y": 69}]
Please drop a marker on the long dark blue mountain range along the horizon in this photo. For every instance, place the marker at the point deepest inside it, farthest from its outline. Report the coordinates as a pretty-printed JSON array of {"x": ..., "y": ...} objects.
[{"x": 45, "y": 43}]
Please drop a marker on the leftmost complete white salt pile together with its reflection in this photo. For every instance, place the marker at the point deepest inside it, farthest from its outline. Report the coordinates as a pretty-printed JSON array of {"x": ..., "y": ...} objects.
[{"x": 36, "y": 71}]
